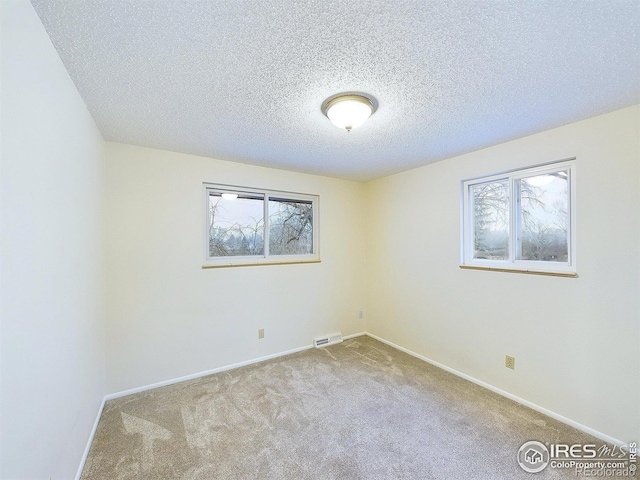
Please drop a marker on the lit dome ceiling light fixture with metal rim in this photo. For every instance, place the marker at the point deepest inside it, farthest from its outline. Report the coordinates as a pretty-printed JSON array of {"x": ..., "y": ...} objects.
[{"x": 349, "y": 110}]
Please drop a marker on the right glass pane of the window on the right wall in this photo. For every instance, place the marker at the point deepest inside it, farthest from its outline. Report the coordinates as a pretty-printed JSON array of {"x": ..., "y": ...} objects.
[{"x": 544, "y": 218}]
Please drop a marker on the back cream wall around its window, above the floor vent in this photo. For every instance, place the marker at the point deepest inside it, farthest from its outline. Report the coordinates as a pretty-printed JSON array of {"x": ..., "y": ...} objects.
[{"x": 168, "y": 317}]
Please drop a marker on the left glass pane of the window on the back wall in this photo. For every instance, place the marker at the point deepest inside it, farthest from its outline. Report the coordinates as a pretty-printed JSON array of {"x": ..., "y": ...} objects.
[{"x": 236, "y": 225}]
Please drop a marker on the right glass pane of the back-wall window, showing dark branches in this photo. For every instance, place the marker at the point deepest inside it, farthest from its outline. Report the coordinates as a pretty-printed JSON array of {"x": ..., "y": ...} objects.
[{"x": 290, "y": 227}]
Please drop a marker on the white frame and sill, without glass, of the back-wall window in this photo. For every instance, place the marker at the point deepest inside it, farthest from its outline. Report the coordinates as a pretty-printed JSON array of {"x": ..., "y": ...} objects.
[{"x": 265, "y": 258}]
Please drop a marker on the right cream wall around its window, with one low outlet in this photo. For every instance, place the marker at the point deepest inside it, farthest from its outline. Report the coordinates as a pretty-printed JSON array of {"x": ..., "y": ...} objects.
[{"x": 576, "y": 341}]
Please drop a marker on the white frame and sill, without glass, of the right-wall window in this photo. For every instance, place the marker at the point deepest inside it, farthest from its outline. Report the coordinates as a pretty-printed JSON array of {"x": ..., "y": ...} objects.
[{"x": 561, "y": 269}]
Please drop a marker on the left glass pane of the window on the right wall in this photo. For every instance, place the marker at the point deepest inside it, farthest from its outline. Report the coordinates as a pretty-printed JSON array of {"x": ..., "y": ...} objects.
[{"x": 491, "y": 220}]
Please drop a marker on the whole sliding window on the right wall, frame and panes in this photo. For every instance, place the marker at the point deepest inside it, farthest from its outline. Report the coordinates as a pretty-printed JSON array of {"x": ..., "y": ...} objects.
[{"x": 521, "y": 221}]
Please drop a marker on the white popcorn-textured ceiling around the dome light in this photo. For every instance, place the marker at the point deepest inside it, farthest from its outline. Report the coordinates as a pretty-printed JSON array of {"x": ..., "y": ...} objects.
[{"x": 244, "y": 80}]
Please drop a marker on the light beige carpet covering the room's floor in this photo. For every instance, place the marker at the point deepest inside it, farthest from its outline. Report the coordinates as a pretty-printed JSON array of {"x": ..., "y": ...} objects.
[{"x": 356, "y": 410}]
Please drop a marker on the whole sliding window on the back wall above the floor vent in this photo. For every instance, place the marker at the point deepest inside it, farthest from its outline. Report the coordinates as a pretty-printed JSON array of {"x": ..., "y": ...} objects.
[{"x": 250, "y": 227}]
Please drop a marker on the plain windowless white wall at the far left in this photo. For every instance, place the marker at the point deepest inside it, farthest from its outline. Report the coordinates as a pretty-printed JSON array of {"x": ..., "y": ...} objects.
[{"x": 52, "y": 332}]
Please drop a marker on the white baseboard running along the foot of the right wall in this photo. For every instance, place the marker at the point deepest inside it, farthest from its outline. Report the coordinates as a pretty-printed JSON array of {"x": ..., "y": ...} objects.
[{"x": 504, "y": 393}]
